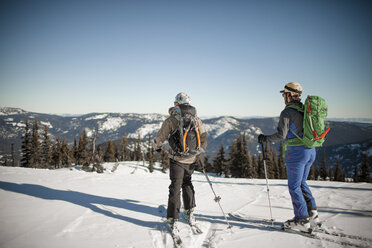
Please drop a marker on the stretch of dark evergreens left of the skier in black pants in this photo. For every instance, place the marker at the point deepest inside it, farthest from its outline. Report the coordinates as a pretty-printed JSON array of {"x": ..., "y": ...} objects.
[{"x": 42, "y": 152}]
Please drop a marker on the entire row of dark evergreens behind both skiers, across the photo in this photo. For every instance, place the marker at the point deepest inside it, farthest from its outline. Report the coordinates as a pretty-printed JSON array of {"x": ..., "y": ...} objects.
[{"x": 39, "y": 151}]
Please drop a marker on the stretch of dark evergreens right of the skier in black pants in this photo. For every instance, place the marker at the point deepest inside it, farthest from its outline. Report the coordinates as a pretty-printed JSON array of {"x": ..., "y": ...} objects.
[{"x": 239, "y": 163}]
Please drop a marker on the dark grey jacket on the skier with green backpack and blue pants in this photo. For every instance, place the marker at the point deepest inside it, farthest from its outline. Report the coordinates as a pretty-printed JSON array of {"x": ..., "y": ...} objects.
[{"x": 289, "y": 118}]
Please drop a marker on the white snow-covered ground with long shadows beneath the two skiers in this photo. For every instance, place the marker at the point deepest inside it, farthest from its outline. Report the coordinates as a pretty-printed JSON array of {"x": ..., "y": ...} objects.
[{"x": 120, "y": 208}]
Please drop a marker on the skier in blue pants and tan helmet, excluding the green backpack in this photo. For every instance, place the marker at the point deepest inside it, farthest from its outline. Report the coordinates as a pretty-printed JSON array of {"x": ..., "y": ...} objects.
[{"x": 298, "y": 161}]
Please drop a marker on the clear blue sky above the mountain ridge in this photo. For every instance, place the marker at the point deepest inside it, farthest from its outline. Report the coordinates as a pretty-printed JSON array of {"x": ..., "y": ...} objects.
[{"x": 232, "y": 57}]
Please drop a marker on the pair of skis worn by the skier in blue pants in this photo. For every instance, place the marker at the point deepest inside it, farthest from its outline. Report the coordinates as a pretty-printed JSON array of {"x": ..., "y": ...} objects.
[{"x": 277, "y": 226}]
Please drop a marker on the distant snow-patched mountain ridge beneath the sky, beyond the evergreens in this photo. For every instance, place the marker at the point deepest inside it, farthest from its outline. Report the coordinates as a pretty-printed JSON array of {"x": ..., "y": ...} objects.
[{"x": 224, "y": 129}]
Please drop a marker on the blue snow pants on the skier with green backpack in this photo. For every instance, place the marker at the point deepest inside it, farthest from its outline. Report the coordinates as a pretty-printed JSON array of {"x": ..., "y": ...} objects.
[{"x": 298, "y": 161}]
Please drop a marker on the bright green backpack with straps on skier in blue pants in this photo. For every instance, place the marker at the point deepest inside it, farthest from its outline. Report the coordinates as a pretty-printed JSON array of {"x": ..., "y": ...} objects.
[{"x": 315, "y": 110}]
